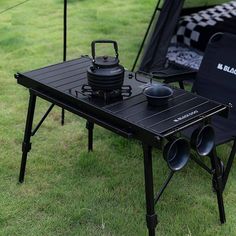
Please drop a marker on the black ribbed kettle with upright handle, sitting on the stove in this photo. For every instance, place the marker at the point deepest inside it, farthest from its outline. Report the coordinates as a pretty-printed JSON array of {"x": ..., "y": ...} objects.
[{"x": 105, "y": 73}]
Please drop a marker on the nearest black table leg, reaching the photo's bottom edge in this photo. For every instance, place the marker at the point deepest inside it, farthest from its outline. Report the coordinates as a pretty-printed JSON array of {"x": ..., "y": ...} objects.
[{"x": 151, "y": 217}]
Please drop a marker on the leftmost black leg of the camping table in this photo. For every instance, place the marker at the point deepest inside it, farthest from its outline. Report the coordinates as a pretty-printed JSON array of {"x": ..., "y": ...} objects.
[{"x": 26, "y": 145}]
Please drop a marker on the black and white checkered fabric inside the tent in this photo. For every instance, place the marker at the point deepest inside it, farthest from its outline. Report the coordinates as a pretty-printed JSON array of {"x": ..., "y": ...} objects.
[{"x": 196, "y": 29}]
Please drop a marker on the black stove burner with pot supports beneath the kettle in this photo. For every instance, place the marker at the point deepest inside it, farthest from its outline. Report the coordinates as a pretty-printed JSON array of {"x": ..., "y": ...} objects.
[{"x": 107, "y": 95}]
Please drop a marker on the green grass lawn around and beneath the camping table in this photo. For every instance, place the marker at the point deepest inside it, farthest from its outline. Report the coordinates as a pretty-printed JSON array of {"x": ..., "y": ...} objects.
[{"x": 67, "y": 190}]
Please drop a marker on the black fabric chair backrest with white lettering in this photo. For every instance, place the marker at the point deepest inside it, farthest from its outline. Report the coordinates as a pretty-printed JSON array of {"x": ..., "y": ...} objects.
[{"x": 216, "y": 78}]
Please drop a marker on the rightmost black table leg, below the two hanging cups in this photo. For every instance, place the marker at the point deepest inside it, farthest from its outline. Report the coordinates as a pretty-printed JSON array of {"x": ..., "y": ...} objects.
[{"x": 217, "y": 177}]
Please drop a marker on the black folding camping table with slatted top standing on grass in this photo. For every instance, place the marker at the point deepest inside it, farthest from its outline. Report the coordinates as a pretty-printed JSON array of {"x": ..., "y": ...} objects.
[{"x": 130, "y": 117}]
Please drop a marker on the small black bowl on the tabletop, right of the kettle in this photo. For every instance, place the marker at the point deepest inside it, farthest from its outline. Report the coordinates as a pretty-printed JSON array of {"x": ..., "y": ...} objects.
[{"x": 158, "y": 95}]
